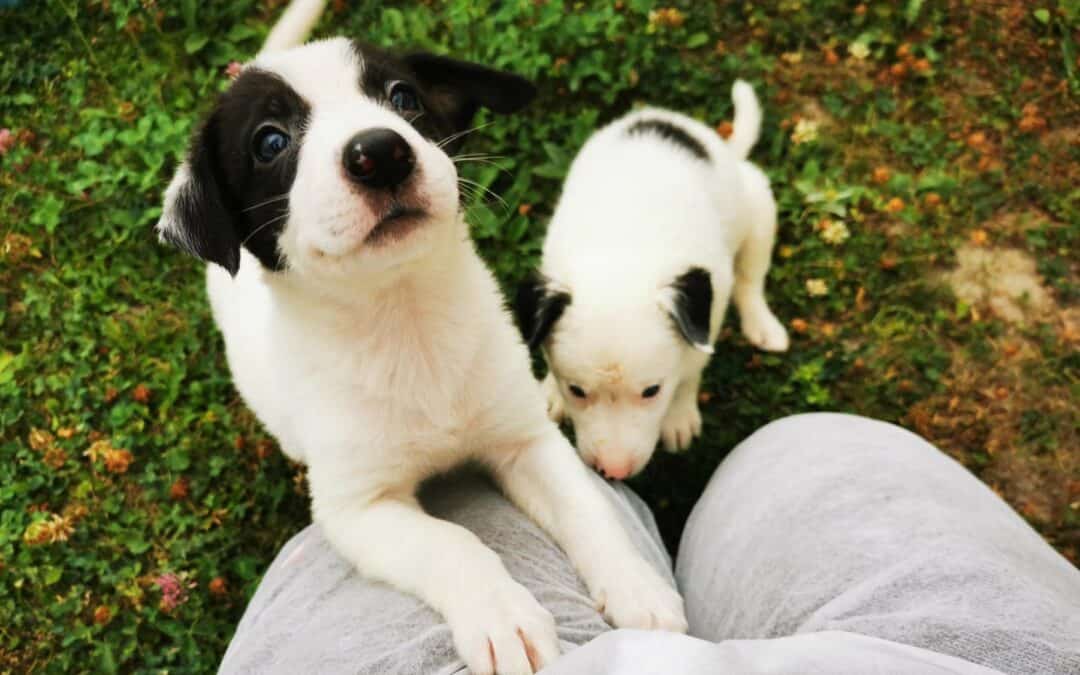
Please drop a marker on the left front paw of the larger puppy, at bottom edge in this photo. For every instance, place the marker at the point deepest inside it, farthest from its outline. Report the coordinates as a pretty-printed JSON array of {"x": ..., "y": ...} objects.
[{"x": 505, "y": 632}]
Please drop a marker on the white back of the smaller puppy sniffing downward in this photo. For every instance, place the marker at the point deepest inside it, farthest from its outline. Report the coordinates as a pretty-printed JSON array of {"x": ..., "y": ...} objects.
[{"x": 644, "y": 208}]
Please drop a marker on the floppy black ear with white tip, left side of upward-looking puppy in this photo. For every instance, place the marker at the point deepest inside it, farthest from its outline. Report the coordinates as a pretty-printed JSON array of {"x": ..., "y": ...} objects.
[{"x": 197, "y": 217}]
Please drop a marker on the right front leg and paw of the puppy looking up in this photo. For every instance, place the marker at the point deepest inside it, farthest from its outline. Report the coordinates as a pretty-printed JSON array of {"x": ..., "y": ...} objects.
[{"x": 547, "y": 480}]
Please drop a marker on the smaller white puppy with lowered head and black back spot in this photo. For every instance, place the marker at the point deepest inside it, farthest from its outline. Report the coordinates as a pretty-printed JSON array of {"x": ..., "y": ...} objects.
[{"x": 659, "y": 224}]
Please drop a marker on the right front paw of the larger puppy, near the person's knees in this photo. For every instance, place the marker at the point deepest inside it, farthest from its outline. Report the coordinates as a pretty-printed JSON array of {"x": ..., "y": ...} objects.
[{"x": 638, "y": 598}]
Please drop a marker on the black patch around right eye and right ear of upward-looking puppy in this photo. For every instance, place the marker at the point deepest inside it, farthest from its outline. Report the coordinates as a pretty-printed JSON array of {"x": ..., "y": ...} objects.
[{"x": 451, "y": 91}]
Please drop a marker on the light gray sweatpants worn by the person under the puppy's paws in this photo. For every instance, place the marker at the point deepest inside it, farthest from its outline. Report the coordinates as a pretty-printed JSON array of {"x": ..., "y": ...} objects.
[{"x": 825, "y": 544}]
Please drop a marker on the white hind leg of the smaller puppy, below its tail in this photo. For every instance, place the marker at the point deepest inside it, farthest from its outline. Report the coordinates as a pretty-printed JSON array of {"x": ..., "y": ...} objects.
[{"x": 760, "y": 325}]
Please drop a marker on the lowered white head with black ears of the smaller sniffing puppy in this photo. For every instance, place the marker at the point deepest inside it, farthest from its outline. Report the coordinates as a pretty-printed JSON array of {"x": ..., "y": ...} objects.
[{"x": 618, "y": 358}]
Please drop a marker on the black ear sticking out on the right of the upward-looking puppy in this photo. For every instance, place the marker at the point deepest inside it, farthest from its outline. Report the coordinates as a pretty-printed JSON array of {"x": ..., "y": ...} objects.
[{"x": 461, "y": 88}]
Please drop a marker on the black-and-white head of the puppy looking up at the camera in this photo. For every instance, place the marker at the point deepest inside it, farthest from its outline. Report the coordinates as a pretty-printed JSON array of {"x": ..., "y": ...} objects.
[{"x": 330, "y": 161}]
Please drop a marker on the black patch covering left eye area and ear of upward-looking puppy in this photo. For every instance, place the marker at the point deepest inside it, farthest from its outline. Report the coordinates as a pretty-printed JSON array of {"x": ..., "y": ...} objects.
[{"x": 232, "y": 200}]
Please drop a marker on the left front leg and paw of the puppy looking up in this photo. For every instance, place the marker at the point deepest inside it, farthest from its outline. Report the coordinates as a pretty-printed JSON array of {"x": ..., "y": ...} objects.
[{"x": 498, "y": 627}]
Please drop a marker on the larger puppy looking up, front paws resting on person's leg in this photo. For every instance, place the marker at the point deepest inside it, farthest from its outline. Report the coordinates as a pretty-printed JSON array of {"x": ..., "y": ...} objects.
[{"x": 369, "y": 337}]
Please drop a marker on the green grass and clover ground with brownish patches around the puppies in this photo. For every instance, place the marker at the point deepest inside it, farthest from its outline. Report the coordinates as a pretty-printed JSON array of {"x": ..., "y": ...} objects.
[{"x": 106, "y": 343}]
